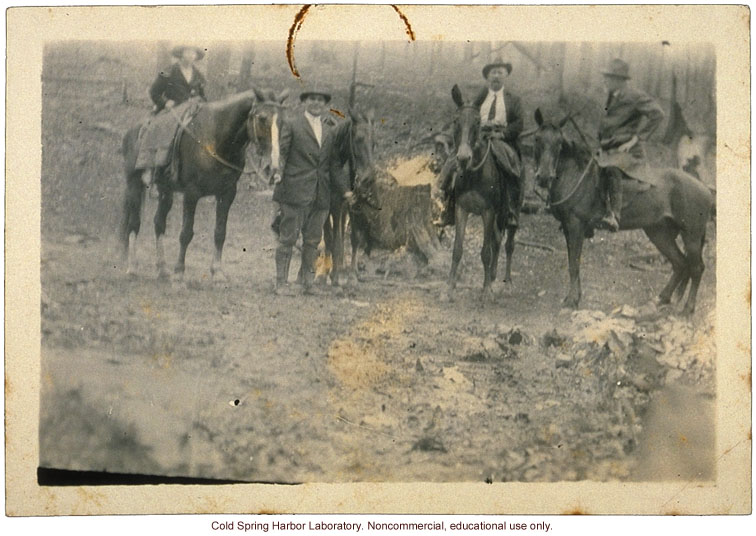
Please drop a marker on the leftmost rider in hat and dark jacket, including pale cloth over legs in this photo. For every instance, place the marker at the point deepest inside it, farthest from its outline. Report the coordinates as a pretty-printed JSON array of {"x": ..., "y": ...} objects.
[{"x": 176, "y": 94}]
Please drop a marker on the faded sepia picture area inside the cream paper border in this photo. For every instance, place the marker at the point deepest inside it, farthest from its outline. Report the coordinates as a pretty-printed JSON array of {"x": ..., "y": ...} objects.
[{"x": 298, "y": 260}]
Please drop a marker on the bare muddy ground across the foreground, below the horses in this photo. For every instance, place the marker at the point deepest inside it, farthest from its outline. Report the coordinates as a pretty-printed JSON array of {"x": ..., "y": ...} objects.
[{"x": 382, "y": 382}]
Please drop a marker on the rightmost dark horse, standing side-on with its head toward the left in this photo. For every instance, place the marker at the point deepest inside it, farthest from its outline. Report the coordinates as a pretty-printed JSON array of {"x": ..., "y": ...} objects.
[{"x": 678, "y": 205}]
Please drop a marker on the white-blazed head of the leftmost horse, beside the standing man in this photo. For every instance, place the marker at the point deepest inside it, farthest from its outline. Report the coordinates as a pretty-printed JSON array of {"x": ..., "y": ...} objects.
[{"x": 263, "y": 125}]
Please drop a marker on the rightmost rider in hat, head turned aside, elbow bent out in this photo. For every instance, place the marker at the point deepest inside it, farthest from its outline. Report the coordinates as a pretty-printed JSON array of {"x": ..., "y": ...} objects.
[{"x": 631, "y": 117}]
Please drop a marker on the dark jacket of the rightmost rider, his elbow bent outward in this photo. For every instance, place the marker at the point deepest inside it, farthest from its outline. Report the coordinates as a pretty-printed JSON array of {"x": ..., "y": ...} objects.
[{"x": 630, "y": 113}]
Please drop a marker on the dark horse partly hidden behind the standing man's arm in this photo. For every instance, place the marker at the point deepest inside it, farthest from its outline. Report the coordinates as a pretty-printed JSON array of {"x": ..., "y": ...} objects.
[{"x": 354, "y": 146}]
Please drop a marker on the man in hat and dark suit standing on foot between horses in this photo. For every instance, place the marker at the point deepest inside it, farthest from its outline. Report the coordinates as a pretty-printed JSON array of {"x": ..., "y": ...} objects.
[{"x": 305, "y": 175}]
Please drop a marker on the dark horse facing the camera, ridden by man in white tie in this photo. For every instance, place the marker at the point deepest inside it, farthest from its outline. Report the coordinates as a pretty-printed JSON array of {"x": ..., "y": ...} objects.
[{"x": 478, "y": 189}]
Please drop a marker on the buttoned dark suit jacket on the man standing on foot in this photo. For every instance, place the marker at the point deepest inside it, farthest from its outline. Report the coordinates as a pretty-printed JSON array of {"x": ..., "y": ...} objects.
[{"x": 308, "y": 172}]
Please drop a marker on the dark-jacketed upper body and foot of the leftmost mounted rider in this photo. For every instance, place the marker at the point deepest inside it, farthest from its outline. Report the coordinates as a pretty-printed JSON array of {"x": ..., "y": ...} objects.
[{"x": 175, "y": 85}]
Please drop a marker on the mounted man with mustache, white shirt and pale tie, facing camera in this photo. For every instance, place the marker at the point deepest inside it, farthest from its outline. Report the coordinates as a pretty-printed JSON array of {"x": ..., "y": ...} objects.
[{"x": 501, "y": 122}]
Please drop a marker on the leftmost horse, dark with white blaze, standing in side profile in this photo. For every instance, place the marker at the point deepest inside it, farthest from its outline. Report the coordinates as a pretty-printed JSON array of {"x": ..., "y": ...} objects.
[{"x": 210, "y": 158}]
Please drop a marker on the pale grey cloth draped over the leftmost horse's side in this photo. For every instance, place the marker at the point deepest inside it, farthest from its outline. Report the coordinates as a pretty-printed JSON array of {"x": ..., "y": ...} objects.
[{"x": 160, "y": 135}]
